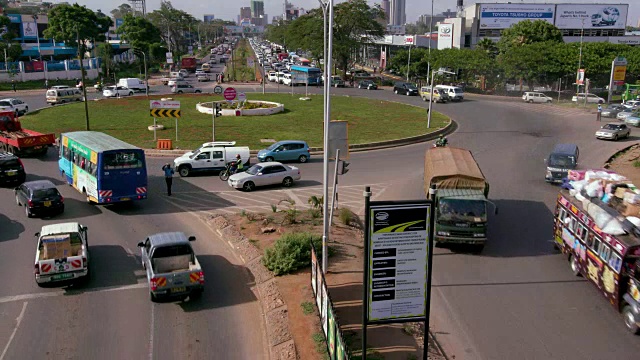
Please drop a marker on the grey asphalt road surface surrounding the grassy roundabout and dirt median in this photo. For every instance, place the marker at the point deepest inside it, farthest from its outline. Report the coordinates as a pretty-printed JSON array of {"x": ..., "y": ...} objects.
[{"x": 517, "y": 299}]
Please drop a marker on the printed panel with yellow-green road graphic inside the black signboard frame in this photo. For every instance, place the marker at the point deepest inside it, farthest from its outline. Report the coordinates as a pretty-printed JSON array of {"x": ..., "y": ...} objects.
[{"x": 397, "y": 260}]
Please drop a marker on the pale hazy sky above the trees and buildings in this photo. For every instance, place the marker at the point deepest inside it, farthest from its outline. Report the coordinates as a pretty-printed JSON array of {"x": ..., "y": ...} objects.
[{"x": 228, "y": 10}]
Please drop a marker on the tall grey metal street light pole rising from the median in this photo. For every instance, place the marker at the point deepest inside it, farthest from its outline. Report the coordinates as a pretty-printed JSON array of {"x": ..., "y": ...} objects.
[{"x": 327, "y": 117}]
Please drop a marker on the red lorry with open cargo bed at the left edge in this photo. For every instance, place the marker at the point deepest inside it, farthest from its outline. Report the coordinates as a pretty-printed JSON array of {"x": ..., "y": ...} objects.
[{"x": 15, "y": 139}]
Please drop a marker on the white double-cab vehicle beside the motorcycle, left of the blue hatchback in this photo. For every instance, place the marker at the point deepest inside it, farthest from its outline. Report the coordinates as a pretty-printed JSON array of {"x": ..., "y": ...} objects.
[{"x": 211, "y": 156}]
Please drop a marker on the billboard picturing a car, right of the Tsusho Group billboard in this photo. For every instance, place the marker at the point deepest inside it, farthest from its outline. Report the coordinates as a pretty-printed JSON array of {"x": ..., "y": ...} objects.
[{"x": 590, "y": 16}]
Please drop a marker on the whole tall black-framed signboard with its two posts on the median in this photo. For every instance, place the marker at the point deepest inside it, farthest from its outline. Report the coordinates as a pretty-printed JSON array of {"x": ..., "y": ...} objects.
[{"x": 397, "y": 271}]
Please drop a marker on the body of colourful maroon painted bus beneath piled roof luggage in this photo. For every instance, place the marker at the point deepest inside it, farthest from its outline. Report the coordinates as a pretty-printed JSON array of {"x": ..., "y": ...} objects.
[{"x": 611, "y": 263}]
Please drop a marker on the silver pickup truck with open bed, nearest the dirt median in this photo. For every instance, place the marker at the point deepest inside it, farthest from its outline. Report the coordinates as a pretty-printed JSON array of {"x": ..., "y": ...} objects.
[{"x": 172, "y": 267}]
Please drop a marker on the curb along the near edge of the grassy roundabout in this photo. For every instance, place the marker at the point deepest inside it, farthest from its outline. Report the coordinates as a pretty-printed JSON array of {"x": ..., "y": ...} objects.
[{"x": 450, "y": 128}]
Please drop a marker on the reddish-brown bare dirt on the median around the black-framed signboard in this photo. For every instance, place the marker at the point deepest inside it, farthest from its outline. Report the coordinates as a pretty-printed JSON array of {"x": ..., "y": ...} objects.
[{"x": 344, "y": 278}]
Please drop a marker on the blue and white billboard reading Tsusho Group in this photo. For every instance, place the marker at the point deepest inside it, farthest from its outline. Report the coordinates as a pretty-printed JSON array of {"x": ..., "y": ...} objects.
[{"x": 502, "y": 16}]
